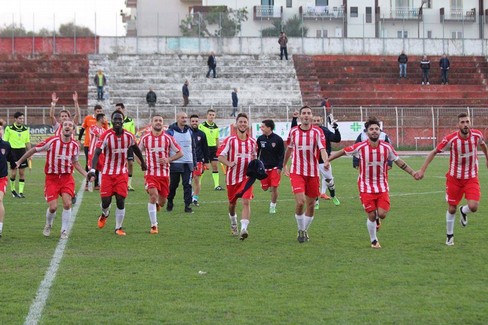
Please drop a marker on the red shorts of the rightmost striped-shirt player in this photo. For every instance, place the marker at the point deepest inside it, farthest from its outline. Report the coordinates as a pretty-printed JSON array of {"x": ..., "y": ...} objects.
[{"x": 455, "y": 188}]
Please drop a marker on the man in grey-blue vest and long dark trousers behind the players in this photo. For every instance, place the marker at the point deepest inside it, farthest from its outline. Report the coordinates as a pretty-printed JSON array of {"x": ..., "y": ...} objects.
[{"x": 184, "y": 166}]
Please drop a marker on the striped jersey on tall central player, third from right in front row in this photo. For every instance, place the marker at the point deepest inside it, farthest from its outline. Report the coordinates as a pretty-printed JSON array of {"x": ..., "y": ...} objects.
[{"x": 306, "y": 147}]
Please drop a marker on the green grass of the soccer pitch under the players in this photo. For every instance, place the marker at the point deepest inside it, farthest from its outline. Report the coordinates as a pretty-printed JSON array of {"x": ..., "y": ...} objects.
[{"x": 270, "y": 278}]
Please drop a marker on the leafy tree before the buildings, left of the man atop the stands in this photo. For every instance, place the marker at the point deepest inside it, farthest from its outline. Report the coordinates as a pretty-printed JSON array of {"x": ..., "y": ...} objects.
[{"x": 228, "y": 21}]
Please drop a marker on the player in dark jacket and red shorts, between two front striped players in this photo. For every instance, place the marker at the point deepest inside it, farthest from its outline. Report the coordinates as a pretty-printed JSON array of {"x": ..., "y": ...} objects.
[{"x": 271, "y": 151}]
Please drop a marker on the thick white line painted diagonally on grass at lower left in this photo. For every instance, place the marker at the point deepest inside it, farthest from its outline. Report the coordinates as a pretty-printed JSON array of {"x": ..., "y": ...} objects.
[{"x": 35, "y": 310}]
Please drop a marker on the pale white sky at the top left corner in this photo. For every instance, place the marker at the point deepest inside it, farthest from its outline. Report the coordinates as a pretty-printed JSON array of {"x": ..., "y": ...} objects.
[{"x": 37, "y": 14}]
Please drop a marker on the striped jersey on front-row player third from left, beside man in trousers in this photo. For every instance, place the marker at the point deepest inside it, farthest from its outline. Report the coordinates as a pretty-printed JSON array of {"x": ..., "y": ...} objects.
[{"x": 157, "y": 148}]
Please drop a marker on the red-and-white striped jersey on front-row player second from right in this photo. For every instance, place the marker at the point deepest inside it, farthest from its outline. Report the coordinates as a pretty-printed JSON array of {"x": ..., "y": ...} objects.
[{"x": 373, "y": 165}]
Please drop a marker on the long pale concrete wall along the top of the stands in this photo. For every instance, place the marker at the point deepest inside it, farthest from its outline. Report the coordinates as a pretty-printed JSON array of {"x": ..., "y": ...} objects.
[{"x": 309, "y": 46}]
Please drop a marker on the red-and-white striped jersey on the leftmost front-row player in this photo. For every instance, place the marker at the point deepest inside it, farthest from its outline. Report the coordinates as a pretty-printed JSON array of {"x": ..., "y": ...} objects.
[{"x": 60, "y": 155}]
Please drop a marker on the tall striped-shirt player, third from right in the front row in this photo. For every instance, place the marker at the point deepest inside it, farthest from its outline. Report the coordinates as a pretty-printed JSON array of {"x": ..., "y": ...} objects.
[{"x": 304, "y": 143}]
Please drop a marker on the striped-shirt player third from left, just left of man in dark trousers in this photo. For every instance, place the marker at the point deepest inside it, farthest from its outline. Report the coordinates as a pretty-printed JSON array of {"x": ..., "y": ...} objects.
[{"x": 158, "y": 147}]
